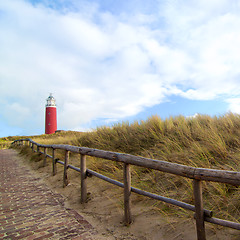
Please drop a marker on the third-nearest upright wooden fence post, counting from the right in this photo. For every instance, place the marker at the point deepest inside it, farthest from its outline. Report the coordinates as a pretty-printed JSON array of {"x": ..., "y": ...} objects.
[{"x": 83, "y": 169}]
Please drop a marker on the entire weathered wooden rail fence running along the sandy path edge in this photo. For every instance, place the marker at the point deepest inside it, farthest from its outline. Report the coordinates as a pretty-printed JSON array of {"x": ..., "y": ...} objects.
[{"x": 197, "y": 174}]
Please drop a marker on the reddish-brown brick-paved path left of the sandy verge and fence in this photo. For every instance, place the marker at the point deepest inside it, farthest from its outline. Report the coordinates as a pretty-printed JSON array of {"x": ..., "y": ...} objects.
[{"x": 30, "y": 210}]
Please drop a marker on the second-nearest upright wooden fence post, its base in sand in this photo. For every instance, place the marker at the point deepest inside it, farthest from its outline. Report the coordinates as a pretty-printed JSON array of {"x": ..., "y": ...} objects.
[{"x": 127, "y": 193}]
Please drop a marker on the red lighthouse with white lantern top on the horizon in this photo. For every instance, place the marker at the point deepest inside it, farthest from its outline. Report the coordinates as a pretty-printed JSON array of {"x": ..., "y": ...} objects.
[{"x": 51, "y": 115}]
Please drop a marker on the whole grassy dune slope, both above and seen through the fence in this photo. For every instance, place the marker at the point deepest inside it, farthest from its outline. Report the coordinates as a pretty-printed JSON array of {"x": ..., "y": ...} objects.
[{"x": 200, "y": 142}]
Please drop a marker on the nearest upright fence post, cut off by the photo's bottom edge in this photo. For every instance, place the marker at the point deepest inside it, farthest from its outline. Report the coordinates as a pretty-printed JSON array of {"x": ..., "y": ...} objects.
[{"x": 199, "y": 214}]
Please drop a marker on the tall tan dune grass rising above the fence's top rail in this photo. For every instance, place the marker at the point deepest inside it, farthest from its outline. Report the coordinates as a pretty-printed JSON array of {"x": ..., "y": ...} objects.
[{"x": 197, "y": 141}]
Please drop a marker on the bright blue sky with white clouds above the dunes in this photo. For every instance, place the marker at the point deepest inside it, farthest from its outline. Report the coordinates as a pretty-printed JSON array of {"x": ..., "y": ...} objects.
[{"x": 109, "y": 61}]
